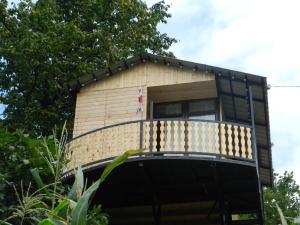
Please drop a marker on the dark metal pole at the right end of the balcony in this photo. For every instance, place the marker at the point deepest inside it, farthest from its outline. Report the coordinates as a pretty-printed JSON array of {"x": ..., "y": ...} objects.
[{"x": 254, "y": 146}]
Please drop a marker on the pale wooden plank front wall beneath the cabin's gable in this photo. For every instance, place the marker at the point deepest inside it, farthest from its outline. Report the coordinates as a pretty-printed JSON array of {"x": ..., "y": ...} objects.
[{"x": 114, "y": 99}]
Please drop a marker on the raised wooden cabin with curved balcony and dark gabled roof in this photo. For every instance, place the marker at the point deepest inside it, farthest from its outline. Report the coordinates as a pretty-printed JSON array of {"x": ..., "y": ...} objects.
[{"x": 205, "y": 131}]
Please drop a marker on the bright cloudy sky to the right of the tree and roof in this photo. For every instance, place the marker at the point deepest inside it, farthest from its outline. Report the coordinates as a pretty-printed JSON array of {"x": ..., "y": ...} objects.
[{"x": 259, "y": 37}]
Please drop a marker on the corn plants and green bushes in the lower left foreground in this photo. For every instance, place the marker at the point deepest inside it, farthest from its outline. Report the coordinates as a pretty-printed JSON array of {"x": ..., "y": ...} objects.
[{"x": 50, "y": 202}]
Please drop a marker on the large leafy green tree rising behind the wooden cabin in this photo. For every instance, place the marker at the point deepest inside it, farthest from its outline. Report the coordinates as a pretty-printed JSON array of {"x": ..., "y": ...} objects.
[{"x": 48, "y": 43}]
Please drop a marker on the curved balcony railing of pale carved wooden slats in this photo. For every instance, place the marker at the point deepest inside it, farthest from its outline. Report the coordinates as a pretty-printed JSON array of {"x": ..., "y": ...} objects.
[{"x": 164, "y": 137}]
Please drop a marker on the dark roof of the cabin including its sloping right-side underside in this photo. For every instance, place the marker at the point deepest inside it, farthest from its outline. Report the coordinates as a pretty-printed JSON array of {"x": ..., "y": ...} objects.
[{"x": 233, "y": 90}]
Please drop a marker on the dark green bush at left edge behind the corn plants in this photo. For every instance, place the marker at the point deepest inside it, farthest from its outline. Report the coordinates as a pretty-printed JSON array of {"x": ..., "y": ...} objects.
[{"x": 18, "y": 153}]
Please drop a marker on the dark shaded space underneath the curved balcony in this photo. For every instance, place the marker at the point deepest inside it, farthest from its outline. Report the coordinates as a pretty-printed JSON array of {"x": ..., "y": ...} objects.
[{"x": 181, "y": 190}]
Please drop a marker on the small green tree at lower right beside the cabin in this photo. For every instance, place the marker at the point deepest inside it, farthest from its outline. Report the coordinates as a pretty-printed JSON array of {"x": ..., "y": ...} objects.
[{"x": 286, "y": 194}]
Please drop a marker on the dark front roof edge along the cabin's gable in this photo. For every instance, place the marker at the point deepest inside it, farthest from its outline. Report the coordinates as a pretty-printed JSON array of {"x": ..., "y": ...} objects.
[{"x": 77, "y": 84}]
